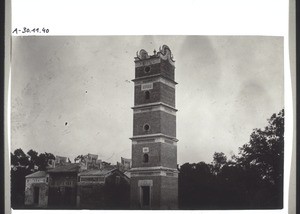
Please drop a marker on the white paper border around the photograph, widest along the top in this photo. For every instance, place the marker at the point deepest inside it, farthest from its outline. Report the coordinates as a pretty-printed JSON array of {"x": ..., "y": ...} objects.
[{"x": 168, "y": 17}]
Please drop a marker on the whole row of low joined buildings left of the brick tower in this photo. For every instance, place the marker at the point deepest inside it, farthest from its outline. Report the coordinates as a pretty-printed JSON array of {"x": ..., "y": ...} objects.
[{"x": 86, "y": 184}]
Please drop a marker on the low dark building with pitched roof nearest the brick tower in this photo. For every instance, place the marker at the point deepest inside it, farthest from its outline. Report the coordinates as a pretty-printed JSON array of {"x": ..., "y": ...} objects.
[{"x": 107, "y": 188}]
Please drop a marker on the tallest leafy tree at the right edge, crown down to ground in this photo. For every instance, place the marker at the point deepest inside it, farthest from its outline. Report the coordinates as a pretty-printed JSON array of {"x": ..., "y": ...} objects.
[{"x": 262, "y": 161}]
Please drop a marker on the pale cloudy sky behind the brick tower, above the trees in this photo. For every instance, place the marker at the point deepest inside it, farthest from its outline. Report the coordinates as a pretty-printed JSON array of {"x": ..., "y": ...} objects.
[{"x": 72, "y": 95}]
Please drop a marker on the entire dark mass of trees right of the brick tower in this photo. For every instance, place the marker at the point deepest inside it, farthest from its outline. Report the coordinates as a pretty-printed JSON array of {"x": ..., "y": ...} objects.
[{"x": 251, "y": 180}]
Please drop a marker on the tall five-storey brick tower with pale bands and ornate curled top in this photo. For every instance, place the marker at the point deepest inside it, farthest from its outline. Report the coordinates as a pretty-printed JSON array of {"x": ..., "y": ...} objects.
[{"x": 154, "y": 175}]
